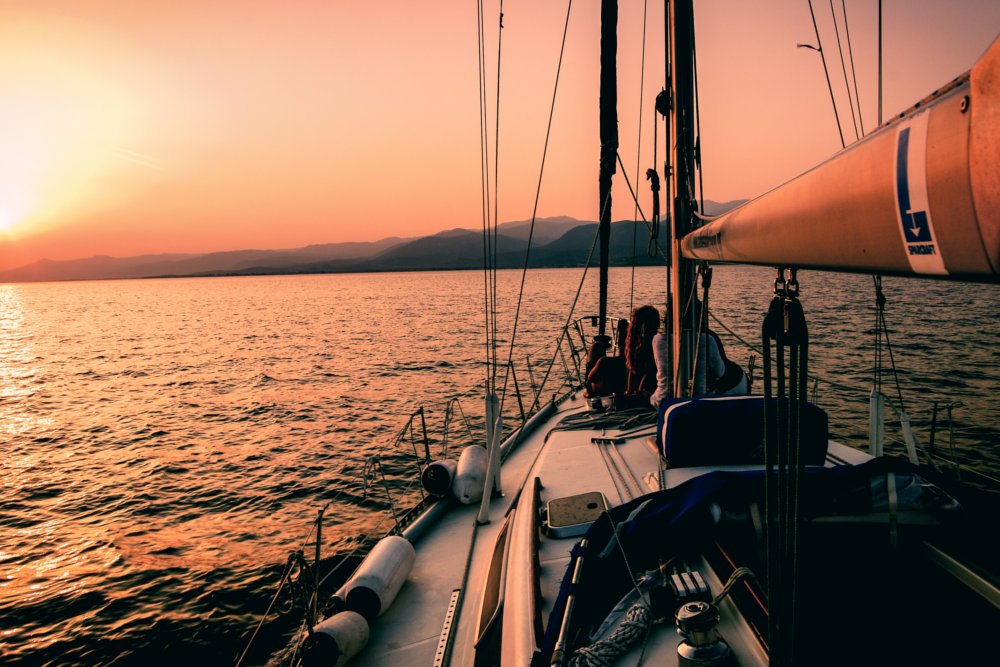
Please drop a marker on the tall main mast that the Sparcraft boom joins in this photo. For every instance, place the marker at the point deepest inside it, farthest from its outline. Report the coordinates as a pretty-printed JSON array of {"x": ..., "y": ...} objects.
[{"x": 681, "y": 16}]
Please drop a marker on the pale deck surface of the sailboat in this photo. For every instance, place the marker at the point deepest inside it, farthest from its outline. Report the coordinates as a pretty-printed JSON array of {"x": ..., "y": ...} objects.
[{"x": 445, "y": 592}]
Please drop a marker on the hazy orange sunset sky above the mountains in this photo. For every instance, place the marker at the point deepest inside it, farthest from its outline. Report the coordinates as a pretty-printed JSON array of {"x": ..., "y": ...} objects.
[{"x": 161, "y": 126}]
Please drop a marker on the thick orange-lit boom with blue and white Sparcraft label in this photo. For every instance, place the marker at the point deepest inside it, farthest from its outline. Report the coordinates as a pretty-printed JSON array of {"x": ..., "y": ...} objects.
[{"x": 920, "y": 196}]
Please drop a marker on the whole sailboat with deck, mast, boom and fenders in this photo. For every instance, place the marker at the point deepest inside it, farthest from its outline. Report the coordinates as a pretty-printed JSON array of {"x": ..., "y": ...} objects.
[{"x": 741, "y": 535}]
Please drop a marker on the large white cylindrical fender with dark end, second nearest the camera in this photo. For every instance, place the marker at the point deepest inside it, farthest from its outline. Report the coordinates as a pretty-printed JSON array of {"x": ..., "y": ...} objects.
[{"x": 376, "y": 582}]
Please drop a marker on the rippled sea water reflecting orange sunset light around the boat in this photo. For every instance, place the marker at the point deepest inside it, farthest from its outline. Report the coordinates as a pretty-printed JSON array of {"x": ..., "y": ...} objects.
[{"x": 164, "y": 444}]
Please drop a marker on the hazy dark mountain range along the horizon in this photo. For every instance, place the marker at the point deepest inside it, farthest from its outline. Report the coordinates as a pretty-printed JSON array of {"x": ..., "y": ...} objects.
[{"x": 557, "y": 241}]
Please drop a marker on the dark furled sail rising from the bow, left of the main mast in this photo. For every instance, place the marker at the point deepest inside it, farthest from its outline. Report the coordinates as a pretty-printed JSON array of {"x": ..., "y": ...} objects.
[{"x": 609, "y": 142}]
